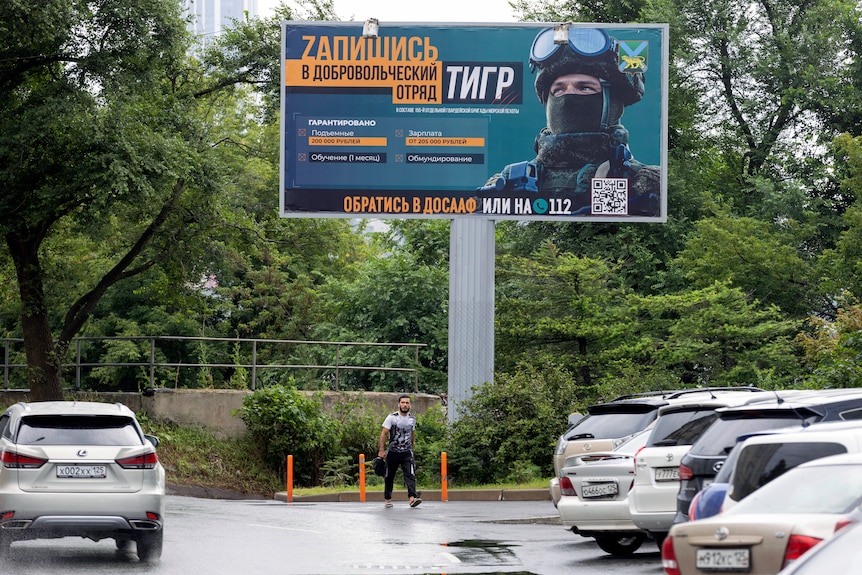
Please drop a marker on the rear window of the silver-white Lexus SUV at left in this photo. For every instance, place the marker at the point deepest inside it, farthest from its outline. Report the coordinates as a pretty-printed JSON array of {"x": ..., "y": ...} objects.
[{"x": 77, "y": 430}]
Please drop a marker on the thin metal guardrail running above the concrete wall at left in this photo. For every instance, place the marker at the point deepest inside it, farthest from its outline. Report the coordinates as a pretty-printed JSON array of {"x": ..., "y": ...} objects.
[{"x": 253, "y": 365}]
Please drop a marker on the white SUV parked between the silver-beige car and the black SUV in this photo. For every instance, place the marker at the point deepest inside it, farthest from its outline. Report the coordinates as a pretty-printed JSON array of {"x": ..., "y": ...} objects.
[{"x": 652, "y": 500}]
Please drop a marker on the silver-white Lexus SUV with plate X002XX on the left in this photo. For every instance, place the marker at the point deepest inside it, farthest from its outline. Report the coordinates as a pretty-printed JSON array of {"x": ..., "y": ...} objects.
[{"x": 79, "y": 469}]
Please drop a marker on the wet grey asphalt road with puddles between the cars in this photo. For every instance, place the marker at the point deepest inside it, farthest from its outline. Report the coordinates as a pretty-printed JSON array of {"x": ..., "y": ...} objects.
[{"x": 219, "y": 537}]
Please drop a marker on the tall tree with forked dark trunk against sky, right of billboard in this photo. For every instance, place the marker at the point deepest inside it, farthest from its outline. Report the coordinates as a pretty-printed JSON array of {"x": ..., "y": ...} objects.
[{"x": 765, "y": 72}]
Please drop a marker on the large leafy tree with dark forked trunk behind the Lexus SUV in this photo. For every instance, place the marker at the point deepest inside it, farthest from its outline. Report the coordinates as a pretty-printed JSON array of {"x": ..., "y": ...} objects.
[{"x": 106, "y": 139}]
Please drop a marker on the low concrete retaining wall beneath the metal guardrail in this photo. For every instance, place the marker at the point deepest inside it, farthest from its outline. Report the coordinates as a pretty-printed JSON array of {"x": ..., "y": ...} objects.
[{"x": 214, "y": 409}]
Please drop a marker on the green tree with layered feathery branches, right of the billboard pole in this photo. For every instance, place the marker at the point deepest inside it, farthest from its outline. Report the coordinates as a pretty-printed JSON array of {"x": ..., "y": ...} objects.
[{"x": 557, "y": 309}]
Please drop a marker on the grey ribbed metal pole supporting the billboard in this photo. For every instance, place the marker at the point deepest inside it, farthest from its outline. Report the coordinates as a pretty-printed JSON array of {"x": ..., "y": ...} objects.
[{"x": 471, "y": 309}]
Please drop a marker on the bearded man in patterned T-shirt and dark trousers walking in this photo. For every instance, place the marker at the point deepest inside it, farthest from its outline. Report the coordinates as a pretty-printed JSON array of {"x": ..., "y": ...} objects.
[{"x": 398, "y": 427}]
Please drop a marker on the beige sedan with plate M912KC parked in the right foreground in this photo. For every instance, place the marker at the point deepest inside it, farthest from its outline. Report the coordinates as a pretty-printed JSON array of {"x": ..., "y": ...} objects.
[{"x": 773, "y": 526}]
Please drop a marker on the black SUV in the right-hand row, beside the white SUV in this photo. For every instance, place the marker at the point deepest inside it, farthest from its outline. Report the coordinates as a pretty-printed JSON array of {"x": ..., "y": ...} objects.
[{"x": 790, "y": 408}]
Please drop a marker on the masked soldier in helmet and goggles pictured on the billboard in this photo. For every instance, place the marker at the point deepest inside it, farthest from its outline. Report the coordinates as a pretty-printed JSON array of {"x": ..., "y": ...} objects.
[{"x": 584, "y": 92}]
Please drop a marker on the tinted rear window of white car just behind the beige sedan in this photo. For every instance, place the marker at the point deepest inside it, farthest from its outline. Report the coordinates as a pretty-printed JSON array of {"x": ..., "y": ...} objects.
[{"x": 759, "y": 464}]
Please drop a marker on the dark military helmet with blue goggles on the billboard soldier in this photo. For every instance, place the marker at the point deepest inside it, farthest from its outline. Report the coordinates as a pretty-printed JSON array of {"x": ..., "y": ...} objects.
[{"x": 588, "y": 51}]
